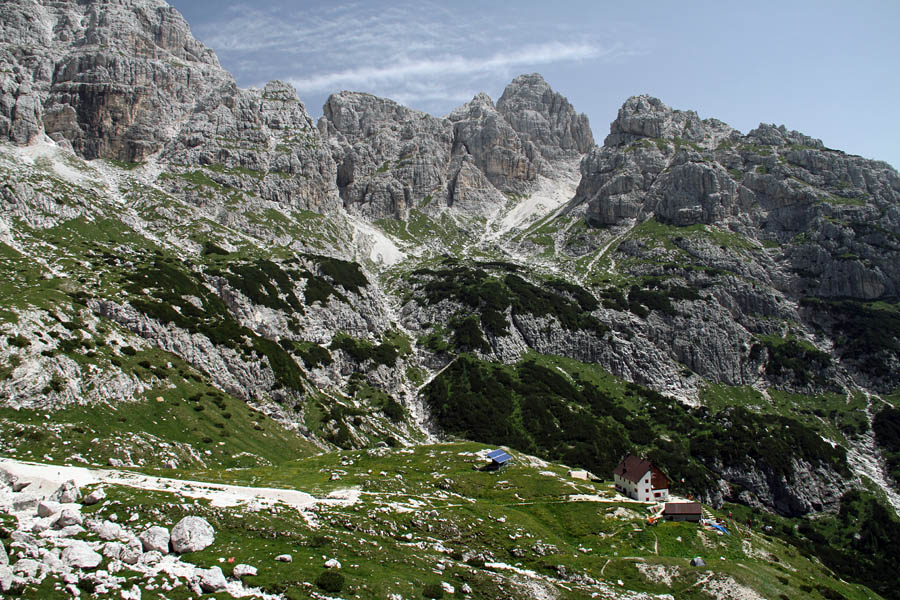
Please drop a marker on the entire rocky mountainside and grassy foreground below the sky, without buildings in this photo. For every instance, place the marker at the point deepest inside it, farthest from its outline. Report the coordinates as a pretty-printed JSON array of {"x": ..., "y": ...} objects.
[{"x": 248, "y": 354}]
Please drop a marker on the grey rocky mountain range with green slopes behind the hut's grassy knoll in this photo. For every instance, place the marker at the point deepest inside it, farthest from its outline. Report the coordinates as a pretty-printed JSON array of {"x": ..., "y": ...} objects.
[{"x": 724, "y": 303}]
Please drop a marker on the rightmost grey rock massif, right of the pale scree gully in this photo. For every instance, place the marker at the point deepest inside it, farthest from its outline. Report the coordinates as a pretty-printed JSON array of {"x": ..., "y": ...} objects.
[{"x": 773, "y": 185}]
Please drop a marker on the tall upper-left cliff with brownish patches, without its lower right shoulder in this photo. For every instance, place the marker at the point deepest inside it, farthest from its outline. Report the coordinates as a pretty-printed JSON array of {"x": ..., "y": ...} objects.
[{"x": 111, "y": 79}]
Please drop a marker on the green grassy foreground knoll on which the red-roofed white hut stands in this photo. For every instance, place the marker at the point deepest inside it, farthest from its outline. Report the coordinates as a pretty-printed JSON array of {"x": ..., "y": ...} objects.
[{"x": 424, "y": 506}]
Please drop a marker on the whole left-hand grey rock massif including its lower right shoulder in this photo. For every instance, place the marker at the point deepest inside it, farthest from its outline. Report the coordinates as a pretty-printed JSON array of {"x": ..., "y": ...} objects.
[{"x": 125, "y": 80}]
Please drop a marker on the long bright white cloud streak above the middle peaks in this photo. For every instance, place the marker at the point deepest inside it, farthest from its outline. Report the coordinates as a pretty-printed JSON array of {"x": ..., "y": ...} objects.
[{"x": 368, "y": 76}]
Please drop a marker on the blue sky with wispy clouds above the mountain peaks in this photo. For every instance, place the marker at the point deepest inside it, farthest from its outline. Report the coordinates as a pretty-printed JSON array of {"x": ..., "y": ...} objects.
[{"x": 828, "y": 69}]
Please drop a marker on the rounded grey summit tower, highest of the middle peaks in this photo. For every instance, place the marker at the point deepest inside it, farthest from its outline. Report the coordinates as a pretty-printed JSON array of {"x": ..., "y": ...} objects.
[{"x": 545, "y": 118}]
